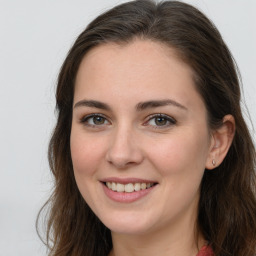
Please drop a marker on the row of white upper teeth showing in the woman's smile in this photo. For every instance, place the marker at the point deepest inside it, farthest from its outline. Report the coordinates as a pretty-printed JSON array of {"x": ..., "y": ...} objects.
[{"x": 128, "y": 188}]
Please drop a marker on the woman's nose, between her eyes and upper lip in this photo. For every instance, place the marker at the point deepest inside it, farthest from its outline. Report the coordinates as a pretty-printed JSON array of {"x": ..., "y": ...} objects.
[{"x": 124, "y": 150}]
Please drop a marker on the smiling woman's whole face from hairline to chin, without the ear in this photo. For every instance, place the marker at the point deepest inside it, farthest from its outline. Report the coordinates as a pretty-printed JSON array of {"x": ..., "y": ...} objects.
[{"x": 139, "y": 138}]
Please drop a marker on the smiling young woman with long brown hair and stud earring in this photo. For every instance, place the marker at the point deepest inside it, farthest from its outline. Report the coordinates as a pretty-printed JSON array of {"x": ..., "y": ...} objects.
[{"x": 151, "y": 154}]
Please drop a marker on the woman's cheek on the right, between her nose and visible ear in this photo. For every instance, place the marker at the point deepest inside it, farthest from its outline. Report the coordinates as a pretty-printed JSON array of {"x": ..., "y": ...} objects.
[{"x": 182, "y": 153}]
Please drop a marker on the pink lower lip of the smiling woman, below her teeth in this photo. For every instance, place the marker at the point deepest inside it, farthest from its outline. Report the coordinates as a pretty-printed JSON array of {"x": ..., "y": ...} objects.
[{"x": 124, "y": 197}]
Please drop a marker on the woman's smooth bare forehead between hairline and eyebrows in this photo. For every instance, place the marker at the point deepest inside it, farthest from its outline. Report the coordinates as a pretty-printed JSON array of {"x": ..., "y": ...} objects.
[{"x": 140, "y": 70}]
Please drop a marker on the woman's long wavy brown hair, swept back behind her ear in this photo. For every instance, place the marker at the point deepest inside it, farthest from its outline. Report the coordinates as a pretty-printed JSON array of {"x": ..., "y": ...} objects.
[{"x": 227, "y": 207}]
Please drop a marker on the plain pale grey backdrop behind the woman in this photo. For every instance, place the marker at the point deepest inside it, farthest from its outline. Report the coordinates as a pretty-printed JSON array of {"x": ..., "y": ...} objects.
[{"x": 34, "y": 39}]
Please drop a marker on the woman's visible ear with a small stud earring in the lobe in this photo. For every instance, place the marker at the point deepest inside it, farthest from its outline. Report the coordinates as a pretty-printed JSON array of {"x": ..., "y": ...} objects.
[{"x": 221, "y": 141}]
